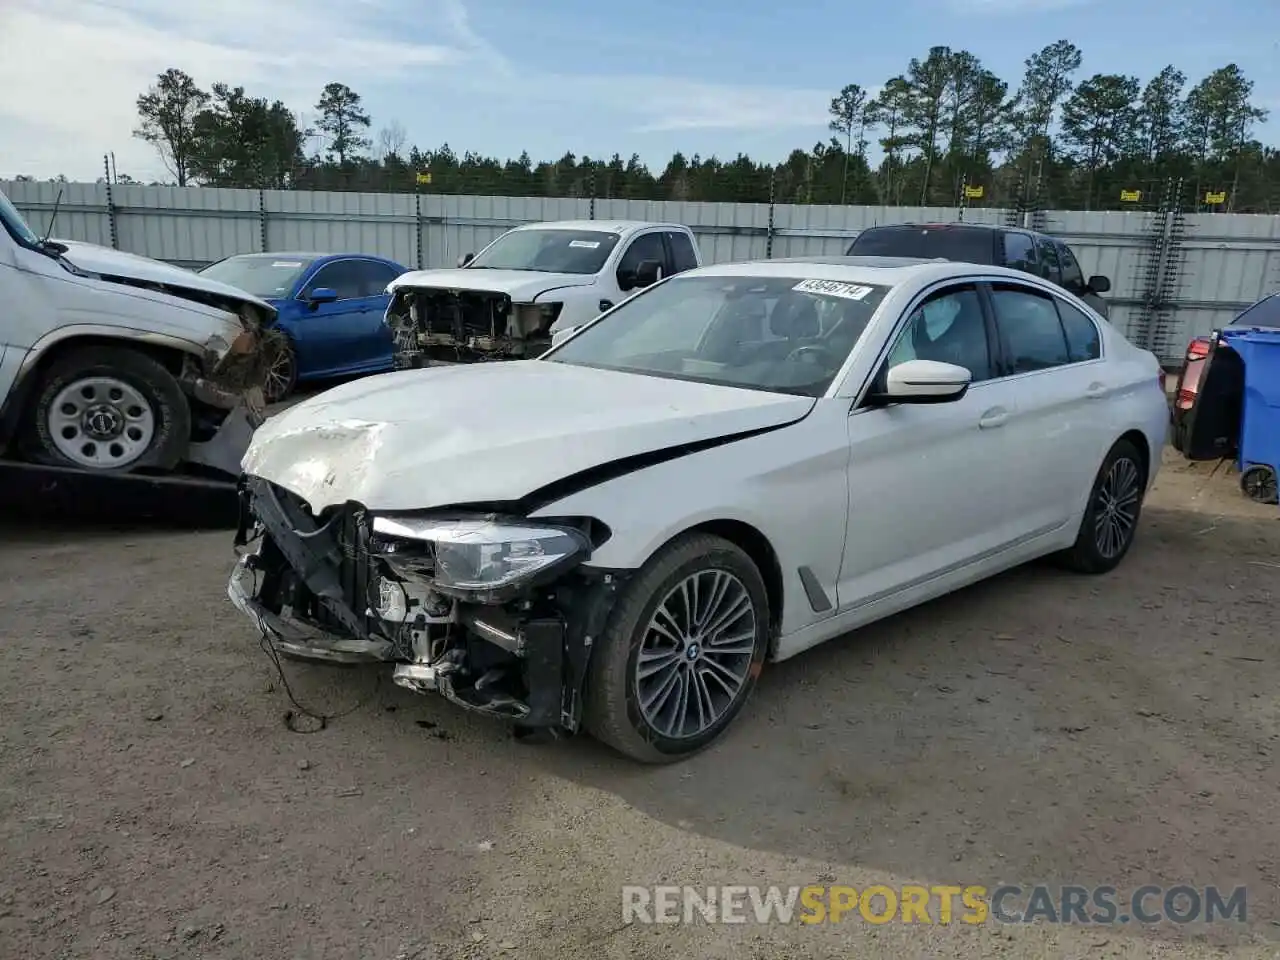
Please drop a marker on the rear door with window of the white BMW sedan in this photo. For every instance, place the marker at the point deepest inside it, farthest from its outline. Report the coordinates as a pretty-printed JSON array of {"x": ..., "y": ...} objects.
[{"x": 1054, "y": 429}]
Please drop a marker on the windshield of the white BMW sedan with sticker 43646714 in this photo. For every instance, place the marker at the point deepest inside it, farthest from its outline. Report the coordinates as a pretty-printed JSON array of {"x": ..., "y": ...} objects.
[{"x": 765, "y": 333}]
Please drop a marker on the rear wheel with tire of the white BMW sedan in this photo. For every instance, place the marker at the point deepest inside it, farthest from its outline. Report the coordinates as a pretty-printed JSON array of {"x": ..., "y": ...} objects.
[{"x": 1122, "y": 470}]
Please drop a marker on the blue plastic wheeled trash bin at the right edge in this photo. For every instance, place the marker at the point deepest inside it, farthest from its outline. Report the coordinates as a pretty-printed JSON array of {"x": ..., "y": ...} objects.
[{"x": 1260, "y": 414}]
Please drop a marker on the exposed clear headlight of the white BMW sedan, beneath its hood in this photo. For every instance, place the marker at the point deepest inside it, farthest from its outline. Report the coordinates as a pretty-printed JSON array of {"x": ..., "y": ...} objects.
[{"x": 483, "y": 559}]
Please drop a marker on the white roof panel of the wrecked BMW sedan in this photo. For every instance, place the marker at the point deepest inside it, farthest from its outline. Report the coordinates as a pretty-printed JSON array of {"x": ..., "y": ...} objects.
[{"x": 889, "y": 272}]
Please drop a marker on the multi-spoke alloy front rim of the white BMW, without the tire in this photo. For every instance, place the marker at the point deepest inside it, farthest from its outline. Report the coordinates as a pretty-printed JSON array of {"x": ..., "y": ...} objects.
[{"x": 696, "y": 656}]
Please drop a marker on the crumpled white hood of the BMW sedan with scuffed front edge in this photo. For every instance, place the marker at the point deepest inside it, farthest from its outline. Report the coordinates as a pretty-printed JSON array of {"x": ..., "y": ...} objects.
[{"x": 477, "y": 433}]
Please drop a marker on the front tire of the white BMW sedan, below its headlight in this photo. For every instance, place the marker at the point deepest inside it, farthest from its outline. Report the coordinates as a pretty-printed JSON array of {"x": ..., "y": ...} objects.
[{"x": 614, "y": 710}]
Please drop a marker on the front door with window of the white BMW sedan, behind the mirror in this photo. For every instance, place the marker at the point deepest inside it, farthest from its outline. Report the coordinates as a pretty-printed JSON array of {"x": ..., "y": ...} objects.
[{"x": 927, "y": 483}]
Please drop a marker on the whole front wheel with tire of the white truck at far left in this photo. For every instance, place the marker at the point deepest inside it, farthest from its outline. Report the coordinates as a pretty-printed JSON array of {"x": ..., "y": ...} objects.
[{"x": 109, "y": 409}]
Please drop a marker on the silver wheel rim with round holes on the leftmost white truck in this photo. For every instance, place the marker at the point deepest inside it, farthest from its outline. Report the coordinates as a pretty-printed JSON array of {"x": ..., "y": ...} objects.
[{"x": 102, "y": 423}]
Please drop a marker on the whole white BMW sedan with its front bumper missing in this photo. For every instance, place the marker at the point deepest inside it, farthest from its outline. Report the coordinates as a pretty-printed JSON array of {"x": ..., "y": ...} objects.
[{"x": 724, "y": 470}]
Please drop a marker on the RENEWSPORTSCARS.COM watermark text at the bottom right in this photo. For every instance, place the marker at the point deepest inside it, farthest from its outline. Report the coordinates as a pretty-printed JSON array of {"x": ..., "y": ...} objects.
[{"x": 971, "y": 904}]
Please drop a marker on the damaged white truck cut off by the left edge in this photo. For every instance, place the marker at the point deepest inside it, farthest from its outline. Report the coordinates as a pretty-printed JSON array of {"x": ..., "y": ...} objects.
[{"x": 117, "y": 364}]
